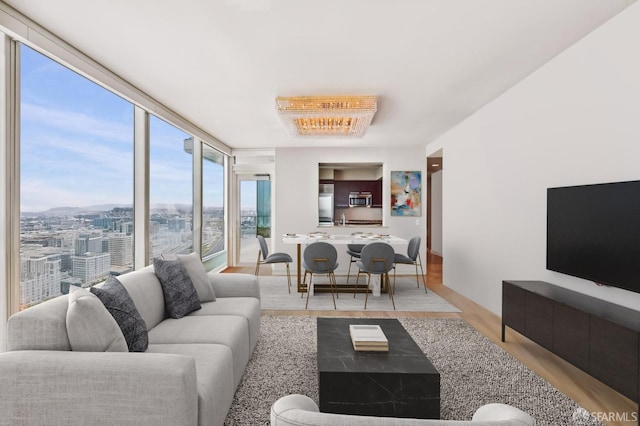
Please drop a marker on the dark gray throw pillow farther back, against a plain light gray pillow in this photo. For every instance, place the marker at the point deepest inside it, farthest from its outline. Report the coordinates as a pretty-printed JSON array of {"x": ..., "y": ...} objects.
[{"x": 180, "y": 295}]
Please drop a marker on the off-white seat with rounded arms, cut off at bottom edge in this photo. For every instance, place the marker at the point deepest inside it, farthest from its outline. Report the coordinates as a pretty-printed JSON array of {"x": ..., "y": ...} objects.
[{"x": 300, "y": 410}]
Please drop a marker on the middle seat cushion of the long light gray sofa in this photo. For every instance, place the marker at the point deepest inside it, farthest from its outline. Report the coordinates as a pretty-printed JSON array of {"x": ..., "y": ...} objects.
[{"x": 228, "y": 330}]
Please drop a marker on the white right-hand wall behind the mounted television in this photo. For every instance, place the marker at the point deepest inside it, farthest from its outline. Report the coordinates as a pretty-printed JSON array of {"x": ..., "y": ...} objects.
[{"x": 574, "y": 121}]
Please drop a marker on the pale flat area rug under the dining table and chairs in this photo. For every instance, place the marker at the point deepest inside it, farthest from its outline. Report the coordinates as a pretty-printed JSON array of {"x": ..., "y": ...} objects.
[{"x": 408, "y": 298}]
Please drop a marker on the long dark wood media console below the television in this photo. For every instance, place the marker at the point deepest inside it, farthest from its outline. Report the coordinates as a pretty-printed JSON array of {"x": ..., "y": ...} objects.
[{"x": 599, "y": 337}]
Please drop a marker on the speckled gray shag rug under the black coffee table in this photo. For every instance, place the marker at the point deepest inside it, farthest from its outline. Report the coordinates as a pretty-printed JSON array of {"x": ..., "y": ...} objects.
[{"x": 473, "y": 371}]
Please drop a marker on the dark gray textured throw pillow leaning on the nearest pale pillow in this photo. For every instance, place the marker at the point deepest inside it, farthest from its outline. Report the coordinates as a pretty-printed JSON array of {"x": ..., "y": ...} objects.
[{"x": 119, "y": 304}]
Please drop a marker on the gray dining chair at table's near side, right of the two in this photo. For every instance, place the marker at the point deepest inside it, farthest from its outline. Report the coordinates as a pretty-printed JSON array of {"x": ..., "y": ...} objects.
[{"x": 377, "y": 259}]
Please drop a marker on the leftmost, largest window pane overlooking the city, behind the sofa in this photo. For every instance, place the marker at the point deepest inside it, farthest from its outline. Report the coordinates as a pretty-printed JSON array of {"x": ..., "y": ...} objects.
[{"x": 76, "y": 180}]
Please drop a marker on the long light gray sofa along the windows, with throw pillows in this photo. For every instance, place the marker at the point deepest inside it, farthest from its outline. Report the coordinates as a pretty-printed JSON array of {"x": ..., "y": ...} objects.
[{"x": 187, "y": 375}]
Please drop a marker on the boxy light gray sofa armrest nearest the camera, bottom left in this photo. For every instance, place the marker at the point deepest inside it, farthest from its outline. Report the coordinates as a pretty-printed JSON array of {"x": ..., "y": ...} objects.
[{"x": 95, "y": 388}]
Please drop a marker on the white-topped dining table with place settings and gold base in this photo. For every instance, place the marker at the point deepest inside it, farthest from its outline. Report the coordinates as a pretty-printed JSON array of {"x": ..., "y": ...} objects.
[{"x": 338, "y": 240}]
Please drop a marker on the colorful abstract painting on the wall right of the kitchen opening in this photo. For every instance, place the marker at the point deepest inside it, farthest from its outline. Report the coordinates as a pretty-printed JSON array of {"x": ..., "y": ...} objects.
[{"x": 406, "y": 193}]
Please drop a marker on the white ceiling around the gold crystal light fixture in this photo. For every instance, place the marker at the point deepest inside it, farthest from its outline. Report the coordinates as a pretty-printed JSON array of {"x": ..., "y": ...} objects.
[{"x": 221, "y": 64}]
